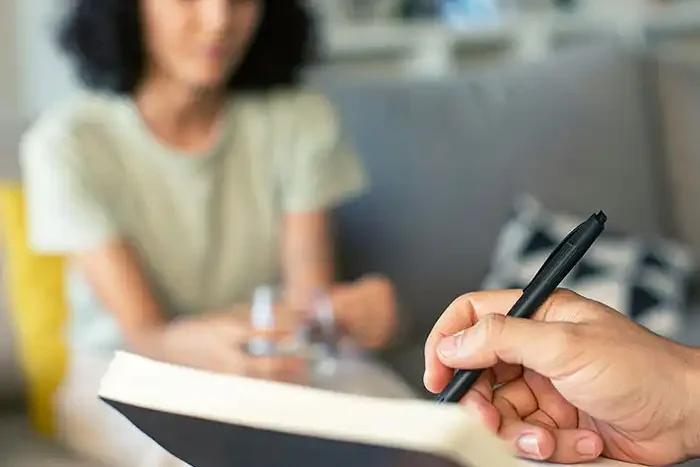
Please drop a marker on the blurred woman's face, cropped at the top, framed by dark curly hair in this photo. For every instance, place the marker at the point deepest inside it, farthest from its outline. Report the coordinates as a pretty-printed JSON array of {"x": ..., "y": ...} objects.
[{"x": 198, "y": 42}]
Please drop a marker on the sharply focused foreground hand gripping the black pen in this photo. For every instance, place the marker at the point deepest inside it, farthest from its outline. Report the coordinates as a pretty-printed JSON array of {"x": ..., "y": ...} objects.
[{"x": 578, "y": 381}]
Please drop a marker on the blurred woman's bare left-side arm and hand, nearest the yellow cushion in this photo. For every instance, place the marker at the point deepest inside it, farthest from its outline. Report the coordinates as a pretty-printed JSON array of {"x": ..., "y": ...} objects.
[{"x": 211, "y": 341}]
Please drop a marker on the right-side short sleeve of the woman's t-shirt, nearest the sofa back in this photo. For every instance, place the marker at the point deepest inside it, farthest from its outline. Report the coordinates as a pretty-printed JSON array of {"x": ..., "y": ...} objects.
[{"x": 324, "y": 169}]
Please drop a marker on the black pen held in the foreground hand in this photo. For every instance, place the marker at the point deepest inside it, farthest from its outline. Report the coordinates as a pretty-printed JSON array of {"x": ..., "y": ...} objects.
[{"x": 559, "y": 264}]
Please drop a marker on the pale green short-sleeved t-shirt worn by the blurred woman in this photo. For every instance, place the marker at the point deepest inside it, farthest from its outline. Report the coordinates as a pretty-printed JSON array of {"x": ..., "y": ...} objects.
[{"x": 206, "y": 226}]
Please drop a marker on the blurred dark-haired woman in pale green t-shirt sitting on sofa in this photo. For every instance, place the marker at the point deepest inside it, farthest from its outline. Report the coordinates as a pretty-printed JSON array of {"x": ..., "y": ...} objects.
[{"x": 191, "y": 170}]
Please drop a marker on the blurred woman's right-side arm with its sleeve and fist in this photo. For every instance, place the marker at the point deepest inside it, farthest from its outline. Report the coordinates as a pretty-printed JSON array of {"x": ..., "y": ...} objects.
[{"x": 321, "y": 172}]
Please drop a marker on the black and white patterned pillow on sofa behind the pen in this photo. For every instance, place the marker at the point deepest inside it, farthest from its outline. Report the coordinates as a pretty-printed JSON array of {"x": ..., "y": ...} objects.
[{"x": 645, "y": 279}]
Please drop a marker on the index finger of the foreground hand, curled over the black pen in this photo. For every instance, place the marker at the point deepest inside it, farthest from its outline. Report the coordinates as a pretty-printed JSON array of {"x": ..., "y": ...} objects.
[{"x": 462, "y": 314}]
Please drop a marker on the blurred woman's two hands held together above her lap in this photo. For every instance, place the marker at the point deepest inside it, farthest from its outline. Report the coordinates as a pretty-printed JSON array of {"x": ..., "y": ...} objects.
[{"x": 364, "y": 310}]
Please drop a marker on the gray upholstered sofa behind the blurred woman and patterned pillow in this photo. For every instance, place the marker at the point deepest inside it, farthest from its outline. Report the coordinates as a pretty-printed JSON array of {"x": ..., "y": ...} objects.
[{"x": 589, "y": 128}]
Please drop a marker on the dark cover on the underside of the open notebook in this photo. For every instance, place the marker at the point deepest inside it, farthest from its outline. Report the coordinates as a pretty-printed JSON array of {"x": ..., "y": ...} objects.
[{"x": 205, "y": 443}]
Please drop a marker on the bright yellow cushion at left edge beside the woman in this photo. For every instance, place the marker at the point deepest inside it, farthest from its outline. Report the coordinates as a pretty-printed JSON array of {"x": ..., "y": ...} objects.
[{"x": 36, "y": 307}]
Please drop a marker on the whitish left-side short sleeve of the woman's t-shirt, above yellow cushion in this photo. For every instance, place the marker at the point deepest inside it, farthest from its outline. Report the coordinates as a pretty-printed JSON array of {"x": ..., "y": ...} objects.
[{"x": 66, "y": 210}]
